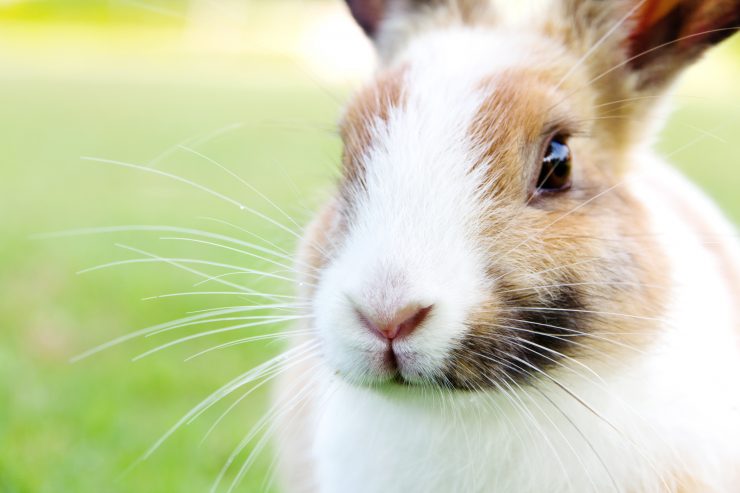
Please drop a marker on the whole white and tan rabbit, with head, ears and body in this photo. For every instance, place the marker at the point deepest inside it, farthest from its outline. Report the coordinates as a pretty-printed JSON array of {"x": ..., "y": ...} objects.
[{"x": 509, "y": 290}]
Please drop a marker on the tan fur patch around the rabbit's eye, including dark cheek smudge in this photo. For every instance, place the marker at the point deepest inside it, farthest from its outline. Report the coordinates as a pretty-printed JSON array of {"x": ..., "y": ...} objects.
[{"x": 575, "y": 274}]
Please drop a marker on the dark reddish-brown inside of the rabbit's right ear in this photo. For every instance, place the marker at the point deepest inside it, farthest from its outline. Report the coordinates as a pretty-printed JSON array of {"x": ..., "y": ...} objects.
[{"x": 669, "y": 34}]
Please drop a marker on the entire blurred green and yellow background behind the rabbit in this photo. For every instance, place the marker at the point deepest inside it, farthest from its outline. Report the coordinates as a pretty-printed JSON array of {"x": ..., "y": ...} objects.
[{"x": 253, "y": 85}]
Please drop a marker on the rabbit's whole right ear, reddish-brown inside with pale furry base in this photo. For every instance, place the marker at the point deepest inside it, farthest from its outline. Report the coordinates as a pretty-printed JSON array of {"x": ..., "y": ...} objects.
[{"x": 632, "y": 50}]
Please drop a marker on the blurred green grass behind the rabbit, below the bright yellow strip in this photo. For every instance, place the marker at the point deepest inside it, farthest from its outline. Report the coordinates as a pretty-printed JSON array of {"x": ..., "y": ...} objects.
[{"x": 76, "y": 428}]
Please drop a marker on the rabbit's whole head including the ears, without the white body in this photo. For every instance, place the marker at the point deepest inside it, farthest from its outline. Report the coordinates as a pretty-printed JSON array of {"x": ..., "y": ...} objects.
[{"x": 486, "y": 228}]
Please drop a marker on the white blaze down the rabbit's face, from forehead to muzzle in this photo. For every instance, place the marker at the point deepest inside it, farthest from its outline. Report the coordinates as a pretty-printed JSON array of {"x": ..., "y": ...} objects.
[{"x": 414, "y": 236}]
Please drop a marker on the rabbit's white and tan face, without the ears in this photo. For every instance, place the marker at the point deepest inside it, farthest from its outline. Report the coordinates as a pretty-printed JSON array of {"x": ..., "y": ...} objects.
[{"x": 481, "y": 207}]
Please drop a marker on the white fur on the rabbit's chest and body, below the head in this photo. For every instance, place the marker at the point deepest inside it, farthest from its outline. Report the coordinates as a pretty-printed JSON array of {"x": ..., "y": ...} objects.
[{"x": 676, "y": 408}]
